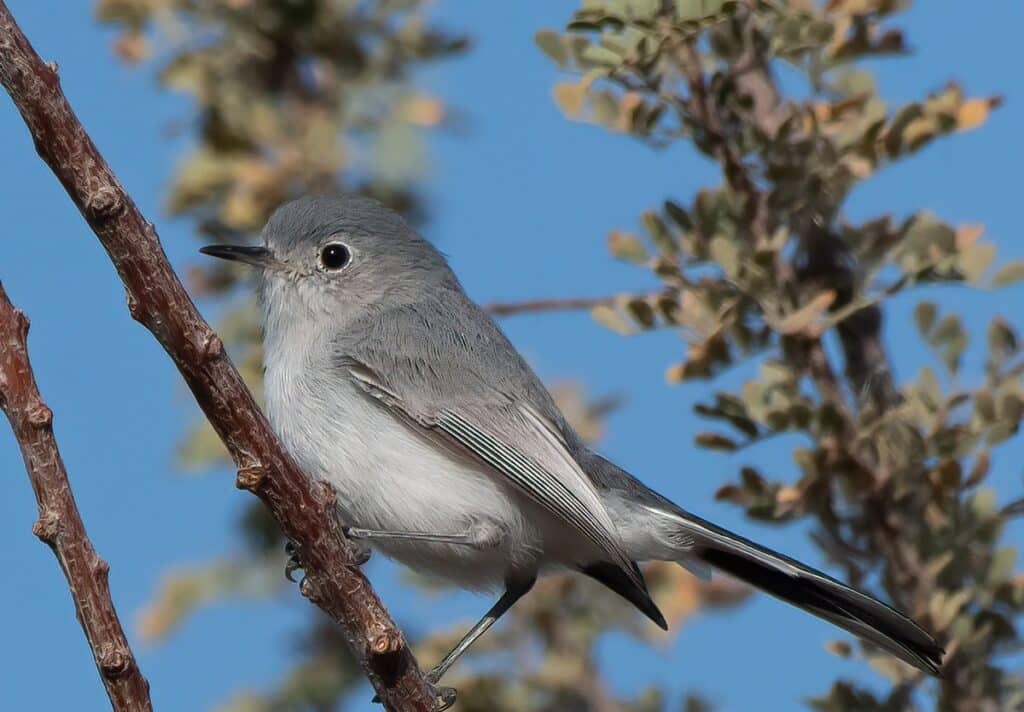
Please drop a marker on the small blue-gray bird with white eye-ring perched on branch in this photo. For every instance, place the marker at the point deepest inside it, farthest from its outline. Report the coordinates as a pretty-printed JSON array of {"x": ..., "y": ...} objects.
[{"x": 449, "y": 454}]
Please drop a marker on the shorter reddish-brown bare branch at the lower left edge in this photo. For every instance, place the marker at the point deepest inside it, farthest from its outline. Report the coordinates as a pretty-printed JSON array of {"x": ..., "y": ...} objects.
[{"x": 60, "y": 525}]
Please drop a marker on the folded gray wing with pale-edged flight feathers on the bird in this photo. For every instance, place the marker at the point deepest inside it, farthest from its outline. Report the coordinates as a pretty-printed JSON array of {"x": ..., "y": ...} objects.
[{"x": 457, "y": 378}]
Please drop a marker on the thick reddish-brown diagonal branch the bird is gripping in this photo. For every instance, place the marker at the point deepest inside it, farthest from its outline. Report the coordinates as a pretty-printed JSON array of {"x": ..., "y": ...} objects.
[{"x": 156, "y": 299}]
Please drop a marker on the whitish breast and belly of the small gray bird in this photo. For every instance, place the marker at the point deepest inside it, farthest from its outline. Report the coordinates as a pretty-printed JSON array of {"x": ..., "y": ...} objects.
[{"x": 389, "y": 477}]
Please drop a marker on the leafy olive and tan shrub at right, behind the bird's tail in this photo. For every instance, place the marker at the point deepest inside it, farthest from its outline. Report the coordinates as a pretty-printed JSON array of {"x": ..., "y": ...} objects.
[{"x": 766, "y": 268}]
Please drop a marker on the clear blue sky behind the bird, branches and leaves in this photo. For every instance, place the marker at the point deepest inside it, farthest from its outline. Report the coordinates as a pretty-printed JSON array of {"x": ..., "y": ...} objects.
[{"x": 522, "y": 205}]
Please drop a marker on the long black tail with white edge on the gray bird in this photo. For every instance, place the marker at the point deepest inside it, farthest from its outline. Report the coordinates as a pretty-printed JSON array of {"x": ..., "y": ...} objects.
[{"x": 814, "y": 592}]
